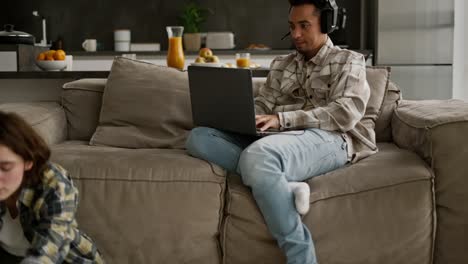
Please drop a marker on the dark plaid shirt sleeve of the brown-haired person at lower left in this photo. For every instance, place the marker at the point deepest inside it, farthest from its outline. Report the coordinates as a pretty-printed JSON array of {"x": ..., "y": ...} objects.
[{"x": 56, "y": 211}]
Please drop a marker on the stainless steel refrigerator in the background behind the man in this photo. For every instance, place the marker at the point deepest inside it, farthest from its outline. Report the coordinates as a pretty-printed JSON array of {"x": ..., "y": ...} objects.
[{"x": 415, "y": 38}]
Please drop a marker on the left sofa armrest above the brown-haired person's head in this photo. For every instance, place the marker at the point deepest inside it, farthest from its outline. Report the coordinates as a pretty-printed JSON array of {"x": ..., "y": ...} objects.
[{"x": 47, "y": 118}]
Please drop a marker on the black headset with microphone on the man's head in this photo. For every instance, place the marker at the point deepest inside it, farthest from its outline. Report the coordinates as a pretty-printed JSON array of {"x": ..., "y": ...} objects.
[{"x": 328, "y": 16}]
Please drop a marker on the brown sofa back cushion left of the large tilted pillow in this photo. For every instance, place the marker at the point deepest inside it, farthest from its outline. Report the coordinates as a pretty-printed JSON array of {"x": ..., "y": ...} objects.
[{"x": 82, "y": 100}]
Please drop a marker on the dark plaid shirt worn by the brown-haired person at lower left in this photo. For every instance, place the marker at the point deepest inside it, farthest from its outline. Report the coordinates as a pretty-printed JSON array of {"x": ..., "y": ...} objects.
[{"x": 47, "y": 215}]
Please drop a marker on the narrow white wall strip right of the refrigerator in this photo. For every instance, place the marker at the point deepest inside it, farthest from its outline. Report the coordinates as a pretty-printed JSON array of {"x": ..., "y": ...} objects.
[{"x": 460, "y": 54}]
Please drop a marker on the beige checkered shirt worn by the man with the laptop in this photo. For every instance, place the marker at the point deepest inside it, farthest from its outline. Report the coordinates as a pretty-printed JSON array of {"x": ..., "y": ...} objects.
[{"x": 329, "y": 92}]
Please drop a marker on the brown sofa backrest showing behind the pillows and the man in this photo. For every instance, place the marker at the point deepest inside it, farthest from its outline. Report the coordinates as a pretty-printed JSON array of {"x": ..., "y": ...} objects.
[{"x": 82, "y": 101}]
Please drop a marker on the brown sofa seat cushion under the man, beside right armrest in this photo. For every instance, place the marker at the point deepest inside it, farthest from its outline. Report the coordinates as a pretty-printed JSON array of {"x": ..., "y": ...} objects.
[{"x": 379, "y": 210}]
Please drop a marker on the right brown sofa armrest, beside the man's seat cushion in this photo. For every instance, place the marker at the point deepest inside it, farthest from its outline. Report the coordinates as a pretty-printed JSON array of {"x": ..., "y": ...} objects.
[{"x": 438, "y": 132}]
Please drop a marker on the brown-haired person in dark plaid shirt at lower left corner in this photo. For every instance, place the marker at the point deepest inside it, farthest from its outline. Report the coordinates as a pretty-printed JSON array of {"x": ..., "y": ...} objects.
[{"x": 38, "y": 202}]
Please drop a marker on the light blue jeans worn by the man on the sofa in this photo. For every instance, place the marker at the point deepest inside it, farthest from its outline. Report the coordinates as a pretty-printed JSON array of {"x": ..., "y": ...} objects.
[{"x": 266, "y": 165}]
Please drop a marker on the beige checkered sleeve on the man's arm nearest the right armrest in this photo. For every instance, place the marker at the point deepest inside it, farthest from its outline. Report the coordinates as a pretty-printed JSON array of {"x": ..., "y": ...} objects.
[{"x": 348, "y": 99}]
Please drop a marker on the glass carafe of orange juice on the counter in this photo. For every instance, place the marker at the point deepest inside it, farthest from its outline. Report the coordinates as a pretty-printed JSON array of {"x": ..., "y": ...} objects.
[{"x": 175, "y": 52}]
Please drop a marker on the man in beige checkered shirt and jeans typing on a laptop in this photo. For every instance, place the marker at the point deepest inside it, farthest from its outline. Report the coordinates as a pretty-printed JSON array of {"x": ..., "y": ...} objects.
[{"x": 321, "y": 90}]
